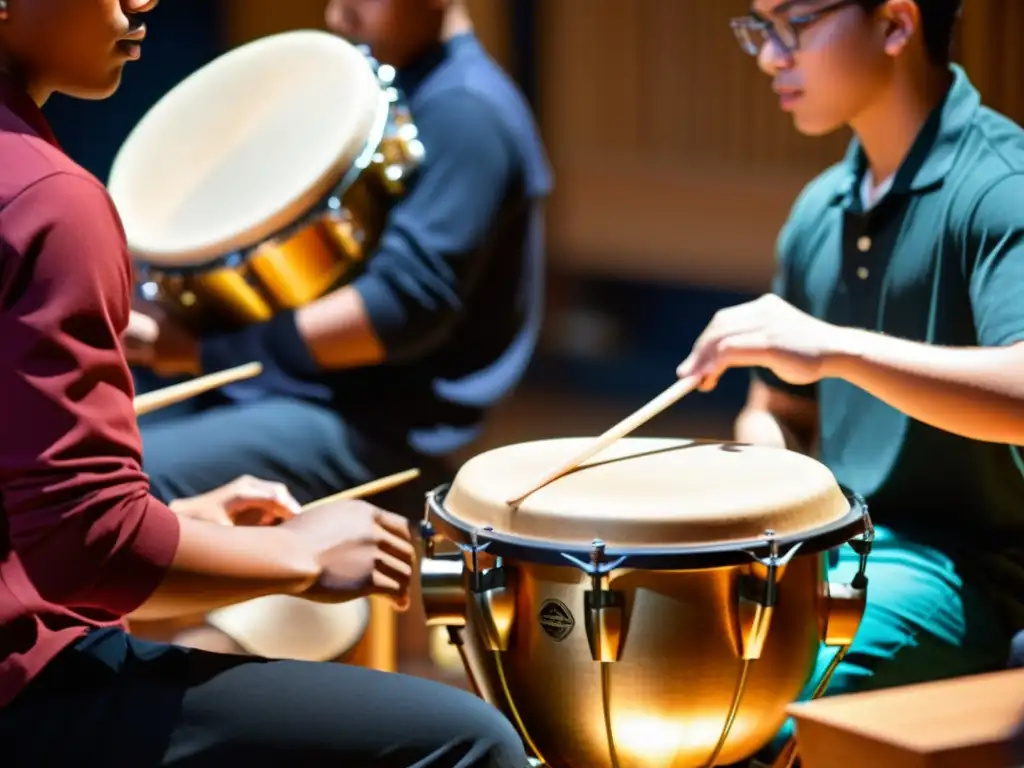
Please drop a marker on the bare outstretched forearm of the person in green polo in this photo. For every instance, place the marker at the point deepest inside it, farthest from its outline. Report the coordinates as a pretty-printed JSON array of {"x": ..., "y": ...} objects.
[{"x": 974, "y": 393}]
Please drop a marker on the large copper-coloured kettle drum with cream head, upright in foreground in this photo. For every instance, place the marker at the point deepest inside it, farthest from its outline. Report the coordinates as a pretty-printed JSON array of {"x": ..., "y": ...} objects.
[{"x": 659, "y": 608}]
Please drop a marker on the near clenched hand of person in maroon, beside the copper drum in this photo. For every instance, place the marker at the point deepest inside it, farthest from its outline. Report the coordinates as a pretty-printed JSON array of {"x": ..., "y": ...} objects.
[{"x": 363, "y": 551}]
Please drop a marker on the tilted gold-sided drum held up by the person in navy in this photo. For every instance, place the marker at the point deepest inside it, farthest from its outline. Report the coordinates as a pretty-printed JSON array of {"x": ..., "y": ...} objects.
[{"x": 264, "y": 181}]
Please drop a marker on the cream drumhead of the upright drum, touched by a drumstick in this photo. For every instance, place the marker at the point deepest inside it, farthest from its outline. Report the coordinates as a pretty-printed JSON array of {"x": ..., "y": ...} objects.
[{"x": 648, "y": 493}]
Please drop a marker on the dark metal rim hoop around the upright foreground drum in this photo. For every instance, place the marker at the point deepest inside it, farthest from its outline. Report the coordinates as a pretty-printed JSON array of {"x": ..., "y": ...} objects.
[{"x": 685, "y": 558}]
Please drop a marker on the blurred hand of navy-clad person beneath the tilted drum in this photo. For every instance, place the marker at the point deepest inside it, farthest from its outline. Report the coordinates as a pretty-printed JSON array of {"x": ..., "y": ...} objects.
[{"x": 154, "y": 340}]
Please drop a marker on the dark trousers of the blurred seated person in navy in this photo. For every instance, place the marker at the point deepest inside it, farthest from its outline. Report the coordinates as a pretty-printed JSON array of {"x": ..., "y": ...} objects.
[{"x": 205, "y": 443}]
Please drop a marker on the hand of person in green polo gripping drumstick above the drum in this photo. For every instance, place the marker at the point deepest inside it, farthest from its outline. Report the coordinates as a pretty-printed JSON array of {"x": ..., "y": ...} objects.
[{"x": 766, "y": 333}]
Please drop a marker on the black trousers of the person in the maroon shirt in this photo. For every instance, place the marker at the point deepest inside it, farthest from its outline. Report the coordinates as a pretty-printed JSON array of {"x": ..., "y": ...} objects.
[{"x": 115, "y": 702}]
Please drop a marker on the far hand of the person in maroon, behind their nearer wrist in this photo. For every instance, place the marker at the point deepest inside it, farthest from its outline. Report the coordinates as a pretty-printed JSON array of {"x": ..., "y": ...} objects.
[{"x": 245, "y": 501}]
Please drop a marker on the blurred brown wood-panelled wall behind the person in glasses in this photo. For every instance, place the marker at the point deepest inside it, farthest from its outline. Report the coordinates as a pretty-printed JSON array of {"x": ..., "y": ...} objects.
[{"x": 673, "y": 160}]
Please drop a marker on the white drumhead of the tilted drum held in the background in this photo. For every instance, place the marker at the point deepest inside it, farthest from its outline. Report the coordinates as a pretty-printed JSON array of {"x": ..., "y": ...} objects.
[{"x": 244, "y": 147}]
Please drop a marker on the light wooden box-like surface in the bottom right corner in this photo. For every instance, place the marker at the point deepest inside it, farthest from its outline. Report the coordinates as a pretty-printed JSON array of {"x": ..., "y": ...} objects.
[{"x": 962, "y": 723}]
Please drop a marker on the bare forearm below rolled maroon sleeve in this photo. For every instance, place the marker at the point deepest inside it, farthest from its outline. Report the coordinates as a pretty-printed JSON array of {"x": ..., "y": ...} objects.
[{"x": 217, "y": 566}]
